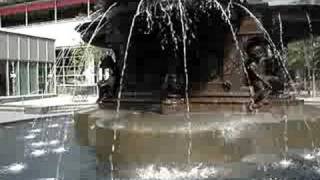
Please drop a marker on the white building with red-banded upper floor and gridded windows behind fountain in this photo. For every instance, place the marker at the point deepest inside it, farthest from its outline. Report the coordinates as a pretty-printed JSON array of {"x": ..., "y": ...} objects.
[{"x": 55, "y": 19}]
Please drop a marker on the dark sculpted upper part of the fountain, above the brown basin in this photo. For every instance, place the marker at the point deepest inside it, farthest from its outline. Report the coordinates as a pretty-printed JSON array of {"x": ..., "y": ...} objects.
[{"x": 191, "y": 56}]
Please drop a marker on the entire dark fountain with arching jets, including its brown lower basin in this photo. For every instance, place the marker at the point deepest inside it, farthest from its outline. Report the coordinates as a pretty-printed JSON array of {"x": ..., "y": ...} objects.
[{"x": 181, "y": 108}]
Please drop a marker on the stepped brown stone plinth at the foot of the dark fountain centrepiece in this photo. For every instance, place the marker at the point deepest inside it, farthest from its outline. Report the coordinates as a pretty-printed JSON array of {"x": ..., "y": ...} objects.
[{"x": 204, "y": 102}]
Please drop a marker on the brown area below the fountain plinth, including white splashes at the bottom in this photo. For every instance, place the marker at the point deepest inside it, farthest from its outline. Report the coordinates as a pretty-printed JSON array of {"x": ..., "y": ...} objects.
[{"x": 151, "y": 146}]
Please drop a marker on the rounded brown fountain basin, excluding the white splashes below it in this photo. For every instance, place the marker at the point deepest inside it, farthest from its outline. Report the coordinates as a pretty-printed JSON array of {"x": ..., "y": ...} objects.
[{"x": 221, "y": 139}]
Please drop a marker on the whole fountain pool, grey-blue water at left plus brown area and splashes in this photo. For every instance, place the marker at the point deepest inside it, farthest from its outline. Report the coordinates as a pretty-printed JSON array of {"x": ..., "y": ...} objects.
[{"x": 148, "y": 145}]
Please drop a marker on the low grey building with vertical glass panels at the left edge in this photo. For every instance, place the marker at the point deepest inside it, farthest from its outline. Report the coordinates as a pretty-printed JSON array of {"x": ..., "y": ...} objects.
[{"x": 27, "y": 65}]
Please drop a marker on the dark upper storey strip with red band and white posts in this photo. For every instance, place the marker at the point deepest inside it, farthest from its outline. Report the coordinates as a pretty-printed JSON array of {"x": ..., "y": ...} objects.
[{"x": 27, "y": 12}]
